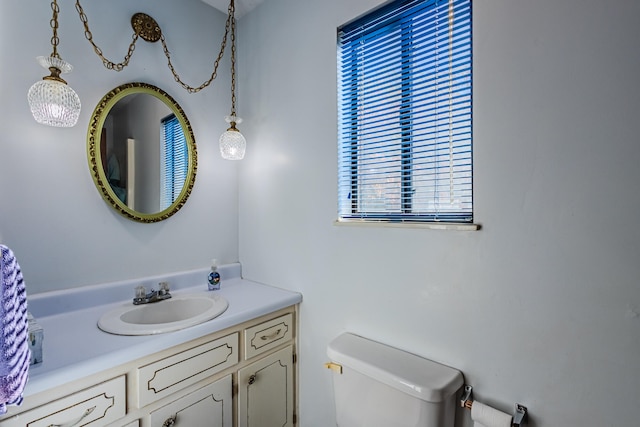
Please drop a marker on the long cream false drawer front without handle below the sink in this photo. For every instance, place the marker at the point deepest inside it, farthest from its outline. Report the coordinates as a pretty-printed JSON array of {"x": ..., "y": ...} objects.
[{"x": 165, "y": 377}]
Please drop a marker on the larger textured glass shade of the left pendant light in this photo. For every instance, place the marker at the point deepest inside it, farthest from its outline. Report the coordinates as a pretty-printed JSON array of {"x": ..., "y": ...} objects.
[{"x": 52, "y": 102}]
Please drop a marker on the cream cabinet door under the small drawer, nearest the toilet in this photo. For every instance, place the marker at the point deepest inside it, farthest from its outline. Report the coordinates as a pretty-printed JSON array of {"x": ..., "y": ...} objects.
[{"x": 265, "y": 391}]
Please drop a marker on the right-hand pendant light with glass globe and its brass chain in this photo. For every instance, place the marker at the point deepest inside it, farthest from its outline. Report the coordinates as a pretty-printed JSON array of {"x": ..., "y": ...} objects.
[{"x": 232, "y": 142}]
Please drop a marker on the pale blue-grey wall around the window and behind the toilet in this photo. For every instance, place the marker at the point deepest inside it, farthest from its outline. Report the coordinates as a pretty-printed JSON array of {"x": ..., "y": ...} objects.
[{"x": 542, "y": 306}]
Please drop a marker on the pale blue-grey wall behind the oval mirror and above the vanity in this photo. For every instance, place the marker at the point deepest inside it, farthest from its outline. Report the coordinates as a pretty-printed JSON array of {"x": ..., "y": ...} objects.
[{"x": 51, "y": 213}]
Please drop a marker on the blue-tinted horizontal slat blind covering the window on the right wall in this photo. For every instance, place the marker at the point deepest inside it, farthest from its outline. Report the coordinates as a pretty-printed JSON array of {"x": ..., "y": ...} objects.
[{"x": 404, "y": 113}]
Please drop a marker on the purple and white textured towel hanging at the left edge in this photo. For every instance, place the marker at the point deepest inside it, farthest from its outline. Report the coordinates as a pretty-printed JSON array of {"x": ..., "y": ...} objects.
[{"x": 14, "y": 347}]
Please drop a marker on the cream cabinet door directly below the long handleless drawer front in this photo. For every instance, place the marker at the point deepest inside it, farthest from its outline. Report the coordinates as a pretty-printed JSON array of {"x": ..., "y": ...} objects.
[{"x": 210, "y": 405}]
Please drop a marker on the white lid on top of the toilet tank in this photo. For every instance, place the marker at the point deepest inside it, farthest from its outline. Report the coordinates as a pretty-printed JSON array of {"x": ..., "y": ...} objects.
[{"x": 411, "y": 374}]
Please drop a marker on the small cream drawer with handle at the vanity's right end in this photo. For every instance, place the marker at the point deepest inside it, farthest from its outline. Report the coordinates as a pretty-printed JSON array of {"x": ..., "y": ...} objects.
[{"x": 267, "y": 335}]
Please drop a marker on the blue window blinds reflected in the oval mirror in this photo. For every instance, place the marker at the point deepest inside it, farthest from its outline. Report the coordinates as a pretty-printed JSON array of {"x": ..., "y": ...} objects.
[{"x": 174, "y": 161}]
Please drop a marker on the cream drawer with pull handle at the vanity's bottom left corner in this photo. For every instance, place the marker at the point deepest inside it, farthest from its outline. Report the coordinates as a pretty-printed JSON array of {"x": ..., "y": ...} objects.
[{"x": 95, "y": 406}]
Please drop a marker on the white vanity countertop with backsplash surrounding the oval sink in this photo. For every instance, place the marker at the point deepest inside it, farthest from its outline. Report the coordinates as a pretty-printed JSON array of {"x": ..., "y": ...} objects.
[{"x": 74, "y": 347}]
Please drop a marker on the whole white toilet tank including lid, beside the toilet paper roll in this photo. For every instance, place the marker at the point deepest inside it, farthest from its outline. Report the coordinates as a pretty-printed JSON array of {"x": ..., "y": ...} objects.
[{"x": 382, "y": 386}]
